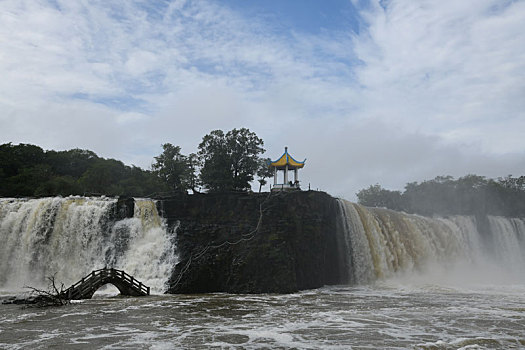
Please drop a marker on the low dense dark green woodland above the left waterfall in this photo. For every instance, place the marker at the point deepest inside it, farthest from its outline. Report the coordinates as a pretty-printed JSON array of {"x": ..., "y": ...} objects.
[{"x": 28, "y": 170}]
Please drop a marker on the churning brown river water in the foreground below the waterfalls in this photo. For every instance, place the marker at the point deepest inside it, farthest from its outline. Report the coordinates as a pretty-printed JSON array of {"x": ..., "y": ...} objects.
[{"x": 385, "y": 315}]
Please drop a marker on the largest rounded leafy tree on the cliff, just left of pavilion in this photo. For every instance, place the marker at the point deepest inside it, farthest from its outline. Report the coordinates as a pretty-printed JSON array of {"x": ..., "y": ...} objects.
[{"x": 229, "y": 161}]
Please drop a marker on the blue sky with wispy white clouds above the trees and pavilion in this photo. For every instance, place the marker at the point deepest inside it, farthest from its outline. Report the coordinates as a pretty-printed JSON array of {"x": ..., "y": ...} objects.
[{"x": 386, "y": 92}]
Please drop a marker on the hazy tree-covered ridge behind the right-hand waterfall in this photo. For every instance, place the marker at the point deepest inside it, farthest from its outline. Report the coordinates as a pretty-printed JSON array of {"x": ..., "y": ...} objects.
[{"x": 444, "y": 195}]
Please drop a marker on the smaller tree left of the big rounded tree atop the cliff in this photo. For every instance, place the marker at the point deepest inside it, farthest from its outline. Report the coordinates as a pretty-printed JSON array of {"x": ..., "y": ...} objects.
[{"x": 175, "y": 169}]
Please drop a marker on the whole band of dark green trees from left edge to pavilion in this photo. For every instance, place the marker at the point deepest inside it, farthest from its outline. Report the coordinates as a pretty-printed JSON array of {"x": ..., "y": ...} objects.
[{"x": 225, "y": 161}]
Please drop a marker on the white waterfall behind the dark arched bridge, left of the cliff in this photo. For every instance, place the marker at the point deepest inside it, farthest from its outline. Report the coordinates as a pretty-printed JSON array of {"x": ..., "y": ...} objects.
[{"x": 69, "y": 237}]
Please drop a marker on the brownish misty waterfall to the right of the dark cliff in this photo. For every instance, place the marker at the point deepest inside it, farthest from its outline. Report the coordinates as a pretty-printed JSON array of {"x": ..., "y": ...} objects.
[{"x": 380, "y": 243}]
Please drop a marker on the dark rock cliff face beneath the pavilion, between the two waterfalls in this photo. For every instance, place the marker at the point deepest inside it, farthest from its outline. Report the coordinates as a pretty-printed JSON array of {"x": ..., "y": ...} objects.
[{"x": 253, "y": 243}]
